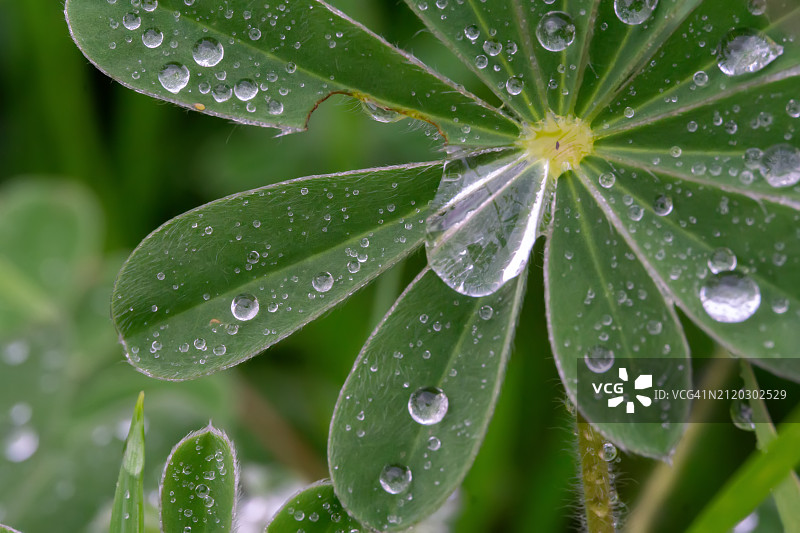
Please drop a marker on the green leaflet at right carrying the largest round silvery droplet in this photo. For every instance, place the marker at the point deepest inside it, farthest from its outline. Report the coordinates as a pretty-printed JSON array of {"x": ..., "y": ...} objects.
[{"x": 681, "y": 230}]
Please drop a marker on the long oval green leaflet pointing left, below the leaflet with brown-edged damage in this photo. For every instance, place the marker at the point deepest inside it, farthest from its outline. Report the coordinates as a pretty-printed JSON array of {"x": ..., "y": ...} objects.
[{"x": 299, "y": 248}]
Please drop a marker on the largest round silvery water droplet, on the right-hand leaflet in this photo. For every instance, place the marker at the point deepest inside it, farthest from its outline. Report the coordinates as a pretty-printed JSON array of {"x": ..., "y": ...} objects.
[{"x": 730, "y": 297}]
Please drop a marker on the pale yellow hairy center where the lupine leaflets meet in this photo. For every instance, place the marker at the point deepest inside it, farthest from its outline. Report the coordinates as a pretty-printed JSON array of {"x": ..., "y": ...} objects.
[{"x": 561, "y": 141}]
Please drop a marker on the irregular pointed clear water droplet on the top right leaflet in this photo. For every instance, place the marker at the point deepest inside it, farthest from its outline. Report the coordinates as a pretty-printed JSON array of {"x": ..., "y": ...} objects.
[{"x": 743, "y": 51}]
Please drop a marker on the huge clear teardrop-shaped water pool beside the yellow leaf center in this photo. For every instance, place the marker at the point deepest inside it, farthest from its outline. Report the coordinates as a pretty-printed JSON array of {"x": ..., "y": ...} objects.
[{"x": 486, "y": 215}]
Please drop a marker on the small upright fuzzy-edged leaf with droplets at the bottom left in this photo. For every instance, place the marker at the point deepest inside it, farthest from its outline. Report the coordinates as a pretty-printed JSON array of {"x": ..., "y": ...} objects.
[{"x": 198, "y": 488}]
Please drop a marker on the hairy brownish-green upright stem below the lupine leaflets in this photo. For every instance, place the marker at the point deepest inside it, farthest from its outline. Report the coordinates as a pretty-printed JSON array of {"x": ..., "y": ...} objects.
[{"x": 598, "y": 487}]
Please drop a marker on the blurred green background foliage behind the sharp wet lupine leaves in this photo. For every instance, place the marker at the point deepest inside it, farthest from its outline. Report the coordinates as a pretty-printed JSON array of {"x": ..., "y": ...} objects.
[{"x": 90, "y": 168}]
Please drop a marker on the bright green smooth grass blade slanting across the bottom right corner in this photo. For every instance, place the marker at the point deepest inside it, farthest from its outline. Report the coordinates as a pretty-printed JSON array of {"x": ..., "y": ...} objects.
[{"x": 754, "y": 480}]
